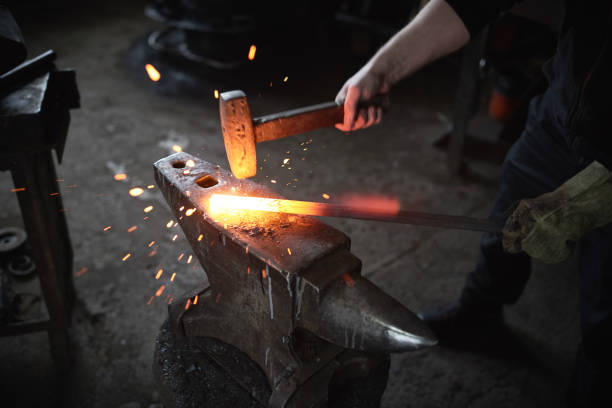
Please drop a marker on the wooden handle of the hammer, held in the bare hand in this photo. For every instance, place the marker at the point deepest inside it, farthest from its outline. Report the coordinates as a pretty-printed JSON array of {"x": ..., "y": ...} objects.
[{"x": 302, "y": 120}]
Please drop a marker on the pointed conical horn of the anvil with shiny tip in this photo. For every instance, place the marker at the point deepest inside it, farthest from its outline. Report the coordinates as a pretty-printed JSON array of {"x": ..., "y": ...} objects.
[{"x": 352, "y": 312}]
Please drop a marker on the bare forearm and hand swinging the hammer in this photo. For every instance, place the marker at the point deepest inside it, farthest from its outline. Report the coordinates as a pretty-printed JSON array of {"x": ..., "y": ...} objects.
[{"x": 436, "y": 31}]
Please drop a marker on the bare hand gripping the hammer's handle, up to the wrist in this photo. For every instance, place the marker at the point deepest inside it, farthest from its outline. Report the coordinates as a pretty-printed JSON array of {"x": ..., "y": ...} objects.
[{"x": 360, "y": 87}]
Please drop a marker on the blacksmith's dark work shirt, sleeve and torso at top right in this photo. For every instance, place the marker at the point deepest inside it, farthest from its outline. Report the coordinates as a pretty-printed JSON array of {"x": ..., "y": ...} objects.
[{"x": 576, "y": 104}]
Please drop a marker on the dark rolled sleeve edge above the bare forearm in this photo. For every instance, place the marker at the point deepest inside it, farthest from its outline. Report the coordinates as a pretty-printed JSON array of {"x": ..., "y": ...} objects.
[{"x": 476, "y": 14}]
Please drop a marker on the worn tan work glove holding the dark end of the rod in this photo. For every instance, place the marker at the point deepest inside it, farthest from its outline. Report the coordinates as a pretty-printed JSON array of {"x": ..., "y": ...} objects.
[{"x": 547, "y": 227}]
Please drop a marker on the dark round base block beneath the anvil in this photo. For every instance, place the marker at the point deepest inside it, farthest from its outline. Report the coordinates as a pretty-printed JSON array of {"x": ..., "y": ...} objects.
[{"x": 197, "y": 371}]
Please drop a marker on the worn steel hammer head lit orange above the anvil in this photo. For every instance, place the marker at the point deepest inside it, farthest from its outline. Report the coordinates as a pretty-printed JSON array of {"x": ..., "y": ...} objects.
[{"x": 238, "y": 133}]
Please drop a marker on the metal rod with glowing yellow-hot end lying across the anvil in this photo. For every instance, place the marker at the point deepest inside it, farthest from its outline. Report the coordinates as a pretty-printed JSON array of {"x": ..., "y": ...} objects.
[{"x": 385, "y": 211}]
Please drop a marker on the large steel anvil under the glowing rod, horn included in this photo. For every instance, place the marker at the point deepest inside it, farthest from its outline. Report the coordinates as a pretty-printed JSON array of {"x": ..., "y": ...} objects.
[{"x": 274, "y": 279}]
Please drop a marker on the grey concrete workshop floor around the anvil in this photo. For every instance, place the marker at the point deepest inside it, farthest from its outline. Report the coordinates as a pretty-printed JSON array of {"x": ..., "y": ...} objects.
[{"x": 124, "y": 127}]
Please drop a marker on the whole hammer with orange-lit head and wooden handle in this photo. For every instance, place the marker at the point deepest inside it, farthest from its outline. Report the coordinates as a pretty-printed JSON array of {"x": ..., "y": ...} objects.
[{"x": 241, "y": 132}]
